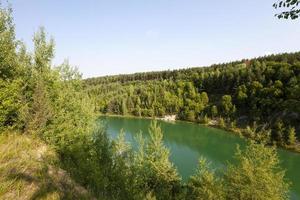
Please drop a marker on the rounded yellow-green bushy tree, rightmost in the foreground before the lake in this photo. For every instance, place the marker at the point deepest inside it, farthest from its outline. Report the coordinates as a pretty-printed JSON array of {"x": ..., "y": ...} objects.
[{"x": 256, "y": 175}]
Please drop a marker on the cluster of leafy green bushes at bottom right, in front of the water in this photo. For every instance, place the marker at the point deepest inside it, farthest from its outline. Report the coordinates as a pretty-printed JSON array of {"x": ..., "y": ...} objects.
[{"x": 255, "y": 176}]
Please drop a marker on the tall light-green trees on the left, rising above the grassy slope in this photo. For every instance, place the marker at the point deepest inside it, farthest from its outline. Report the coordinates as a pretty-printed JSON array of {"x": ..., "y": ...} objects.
[{"x": 45, "y": 101}]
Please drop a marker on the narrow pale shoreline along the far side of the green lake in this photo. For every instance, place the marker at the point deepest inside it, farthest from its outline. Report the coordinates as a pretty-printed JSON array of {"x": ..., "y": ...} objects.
[{"x": 235, "y": 131}]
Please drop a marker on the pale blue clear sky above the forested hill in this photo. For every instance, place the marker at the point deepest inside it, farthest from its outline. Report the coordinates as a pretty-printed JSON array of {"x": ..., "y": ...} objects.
[{"x": 127, "y": 36}]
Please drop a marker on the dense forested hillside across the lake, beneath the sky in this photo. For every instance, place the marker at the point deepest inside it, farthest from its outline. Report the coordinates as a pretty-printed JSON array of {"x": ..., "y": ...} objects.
[{"x": 261, "y": 96}]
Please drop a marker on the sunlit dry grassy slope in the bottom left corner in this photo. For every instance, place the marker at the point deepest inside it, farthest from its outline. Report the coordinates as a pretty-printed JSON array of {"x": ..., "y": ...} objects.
[{"x": 29, "y": 169}]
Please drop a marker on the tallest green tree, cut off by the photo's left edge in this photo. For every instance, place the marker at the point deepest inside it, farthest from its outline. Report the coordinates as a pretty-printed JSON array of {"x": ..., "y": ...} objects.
[{"x": 10, "y": 80}]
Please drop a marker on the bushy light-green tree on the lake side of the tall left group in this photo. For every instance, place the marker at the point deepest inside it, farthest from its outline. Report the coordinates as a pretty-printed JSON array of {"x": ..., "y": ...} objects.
[{"x": 72, "y": 110}]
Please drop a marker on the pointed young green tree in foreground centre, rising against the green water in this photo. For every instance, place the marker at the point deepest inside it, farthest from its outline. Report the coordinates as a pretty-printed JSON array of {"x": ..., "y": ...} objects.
[{"x": 157, "y": 175}]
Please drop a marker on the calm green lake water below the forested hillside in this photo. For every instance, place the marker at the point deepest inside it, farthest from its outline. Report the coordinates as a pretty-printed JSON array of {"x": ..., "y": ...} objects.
[{"x": 187, "y": 142}]
